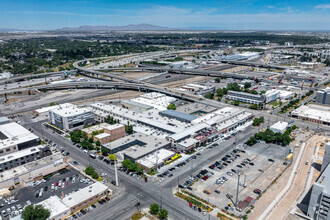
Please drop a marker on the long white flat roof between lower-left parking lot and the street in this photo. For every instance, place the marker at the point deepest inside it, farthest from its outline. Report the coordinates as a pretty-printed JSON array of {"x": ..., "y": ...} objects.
[{"x": 84, "y": 194}]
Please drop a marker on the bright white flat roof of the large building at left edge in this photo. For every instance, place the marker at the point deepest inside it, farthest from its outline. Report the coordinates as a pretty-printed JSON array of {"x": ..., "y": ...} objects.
[{"x": 13, "y": 133}]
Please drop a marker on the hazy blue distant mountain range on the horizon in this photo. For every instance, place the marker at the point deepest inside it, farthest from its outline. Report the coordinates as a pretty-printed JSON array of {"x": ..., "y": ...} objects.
[{"x": 130, "y": 27}]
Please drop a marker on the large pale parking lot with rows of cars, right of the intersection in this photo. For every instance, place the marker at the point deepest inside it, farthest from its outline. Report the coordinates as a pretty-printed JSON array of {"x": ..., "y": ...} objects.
[{"x": 260, "y": 165}]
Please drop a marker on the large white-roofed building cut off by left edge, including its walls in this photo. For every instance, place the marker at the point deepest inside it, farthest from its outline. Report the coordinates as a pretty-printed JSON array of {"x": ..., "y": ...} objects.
[{"x": 14, "y": 137}]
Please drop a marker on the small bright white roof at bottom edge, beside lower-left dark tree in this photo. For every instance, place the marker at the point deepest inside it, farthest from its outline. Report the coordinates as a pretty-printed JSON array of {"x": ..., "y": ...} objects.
[{"x": 55, "y": 205}]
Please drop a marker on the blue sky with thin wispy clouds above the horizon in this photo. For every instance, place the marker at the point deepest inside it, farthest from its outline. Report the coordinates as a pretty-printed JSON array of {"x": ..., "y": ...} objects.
[{"x": 207, "y": 14}]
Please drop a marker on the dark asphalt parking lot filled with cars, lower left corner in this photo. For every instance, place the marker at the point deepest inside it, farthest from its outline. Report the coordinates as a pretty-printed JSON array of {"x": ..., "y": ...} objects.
[{"x": 60, "y": 185}]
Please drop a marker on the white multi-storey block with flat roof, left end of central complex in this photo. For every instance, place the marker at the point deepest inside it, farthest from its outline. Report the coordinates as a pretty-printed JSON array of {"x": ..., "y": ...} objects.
[{"x": 71, "y": 117}]
